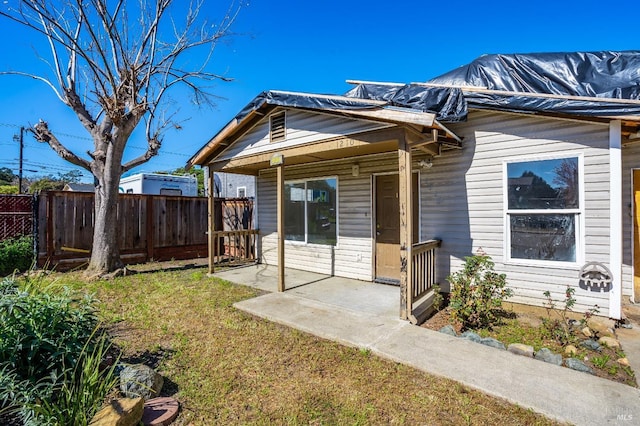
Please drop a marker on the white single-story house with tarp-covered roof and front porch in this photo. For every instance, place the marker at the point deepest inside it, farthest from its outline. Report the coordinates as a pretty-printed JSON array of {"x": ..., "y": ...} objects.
[{"x": 535, "y": 159}]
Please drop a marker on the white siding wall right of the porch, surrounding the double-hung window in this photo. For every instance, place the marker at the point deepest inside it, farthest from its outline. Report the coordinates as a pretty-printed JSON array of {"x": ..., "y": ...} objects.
[{"x": 462, "y": 198}]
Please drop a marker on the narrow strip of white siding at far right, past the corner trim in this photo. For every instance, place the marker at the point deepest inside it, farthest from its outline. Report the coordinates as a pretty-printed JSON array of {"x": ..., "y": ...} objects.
[{"x": 630, "y": 161}]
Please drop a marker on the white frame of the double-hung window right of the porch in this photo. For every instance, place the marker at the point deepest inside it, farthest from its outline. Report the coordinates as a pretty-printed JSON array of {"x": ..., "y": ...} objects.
[{"x": 578, "y": 213}]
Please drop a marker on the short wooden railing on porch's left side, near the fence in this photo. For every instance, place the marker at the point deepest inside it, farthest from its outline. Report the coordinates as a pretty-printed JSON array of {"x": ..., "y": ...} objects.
[{"x": 234, "y": 247}]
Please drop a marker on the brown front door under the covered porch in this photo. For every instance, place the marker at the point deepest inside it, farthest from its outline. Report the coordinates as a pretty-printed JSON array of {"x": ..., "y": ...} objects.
[{"x": 387, "y": 223}]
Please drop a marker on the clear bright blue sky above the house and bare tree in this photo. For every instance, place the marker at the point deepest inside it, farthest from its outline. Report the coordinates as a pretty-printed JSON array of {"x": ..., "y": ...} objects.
[{"x": 314, "y": 47}]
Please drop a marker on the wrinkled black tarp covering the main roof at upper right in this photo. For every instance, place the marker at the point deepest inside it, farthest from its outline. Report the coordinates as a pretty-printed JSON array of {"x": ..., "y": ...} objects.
[{"x": 581, "y": 74}]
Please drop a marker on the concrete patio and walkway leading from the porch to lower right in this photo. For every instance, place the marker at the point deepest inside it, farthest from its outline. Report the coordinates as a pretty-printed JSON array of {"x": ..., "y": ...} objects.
[{"x": 366, "y": 315}]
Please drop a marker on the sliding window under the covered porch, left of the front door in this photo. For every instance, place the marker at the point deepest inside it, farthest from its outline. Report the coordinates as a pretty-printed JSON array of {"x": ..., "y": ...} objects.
[{"x": 310, "y": 211}]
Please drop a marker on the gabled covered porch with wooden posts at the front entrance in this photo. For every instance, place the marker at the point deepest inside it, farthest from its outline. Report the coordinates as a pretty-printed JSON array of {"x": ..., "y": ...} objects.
[{"x": 307, "y": 156}]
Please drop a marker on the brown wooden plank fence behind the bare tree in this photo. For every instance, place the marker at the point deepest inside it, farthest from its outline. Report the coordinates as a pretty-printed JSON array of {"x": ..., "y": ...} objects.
[{"x": 150, "y": 227}]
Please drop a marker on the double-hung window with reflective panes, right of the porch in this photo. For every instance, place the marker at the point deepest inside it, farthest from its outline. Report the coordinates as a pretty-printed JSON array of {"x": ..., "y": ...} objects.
[{"x": 543, "y": 210}]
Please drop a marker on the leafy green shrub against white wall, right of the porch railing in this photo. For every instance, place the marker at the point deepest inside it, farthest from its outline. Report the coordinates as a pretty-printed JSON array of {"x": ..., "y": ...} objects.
[{"x": 477, "y": 292}]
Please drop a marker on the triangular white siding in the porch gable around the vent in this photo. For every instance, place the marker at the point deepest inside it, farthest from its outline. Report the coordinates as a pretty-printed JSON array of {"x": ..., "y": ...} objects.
[{"x": 301, "y": 128}]
